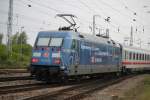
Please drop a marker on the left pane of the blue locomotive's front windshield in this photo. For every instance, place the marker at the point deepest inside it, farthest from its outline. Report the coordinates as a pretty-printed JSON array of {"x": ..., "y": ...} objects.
[{"x": 43, "y": 41}]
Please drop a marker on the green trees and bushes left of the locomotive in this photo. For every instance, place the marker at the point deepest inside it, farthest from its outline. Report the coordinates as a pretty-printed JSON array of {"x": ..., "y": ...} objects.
[{"x": 21, "y": 52}]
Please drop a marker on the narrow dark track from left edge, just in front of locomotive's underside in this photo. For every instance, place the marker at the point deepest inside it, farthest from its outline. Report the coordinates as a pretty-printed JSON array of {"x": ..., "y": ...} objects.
[{"x": 34, "y": 86}]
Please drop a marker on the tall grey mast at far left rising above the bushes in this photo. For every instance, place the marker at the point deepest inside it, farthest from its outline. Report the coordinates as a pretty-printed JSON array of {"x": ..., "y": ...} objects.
[{"x": 9, "y": 27}]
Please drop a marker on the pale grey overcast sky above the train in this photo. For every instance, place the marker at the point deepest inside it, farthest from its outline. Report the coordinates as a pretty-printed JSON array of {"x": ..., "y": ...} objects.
[{"x": 41, "y": 16}]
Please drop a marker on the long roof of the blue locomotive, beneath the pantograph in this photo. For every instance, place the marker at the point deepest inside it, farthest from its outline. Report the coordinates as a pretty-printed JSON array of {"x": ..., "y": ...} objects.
[{"x": 77, "y": 35}]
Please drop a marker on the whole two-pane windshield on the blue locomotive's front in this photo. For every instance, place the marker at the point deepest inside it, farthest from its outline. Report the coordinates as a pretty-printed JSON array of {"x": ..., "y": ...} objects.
[{"x": 47, "y": 41}]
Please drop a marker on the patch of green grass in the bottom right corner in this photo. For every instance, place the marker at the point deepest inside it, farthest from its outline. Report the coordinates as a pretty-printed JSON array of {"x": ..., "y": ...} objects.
[{"x": 140, "y": 92}]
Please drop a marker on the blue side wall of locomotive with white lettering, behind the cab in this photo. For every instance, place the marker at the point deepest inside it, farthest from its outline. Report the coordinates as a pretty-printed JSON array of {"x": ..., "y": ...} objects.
[{"x": 97, "y": 57}]
